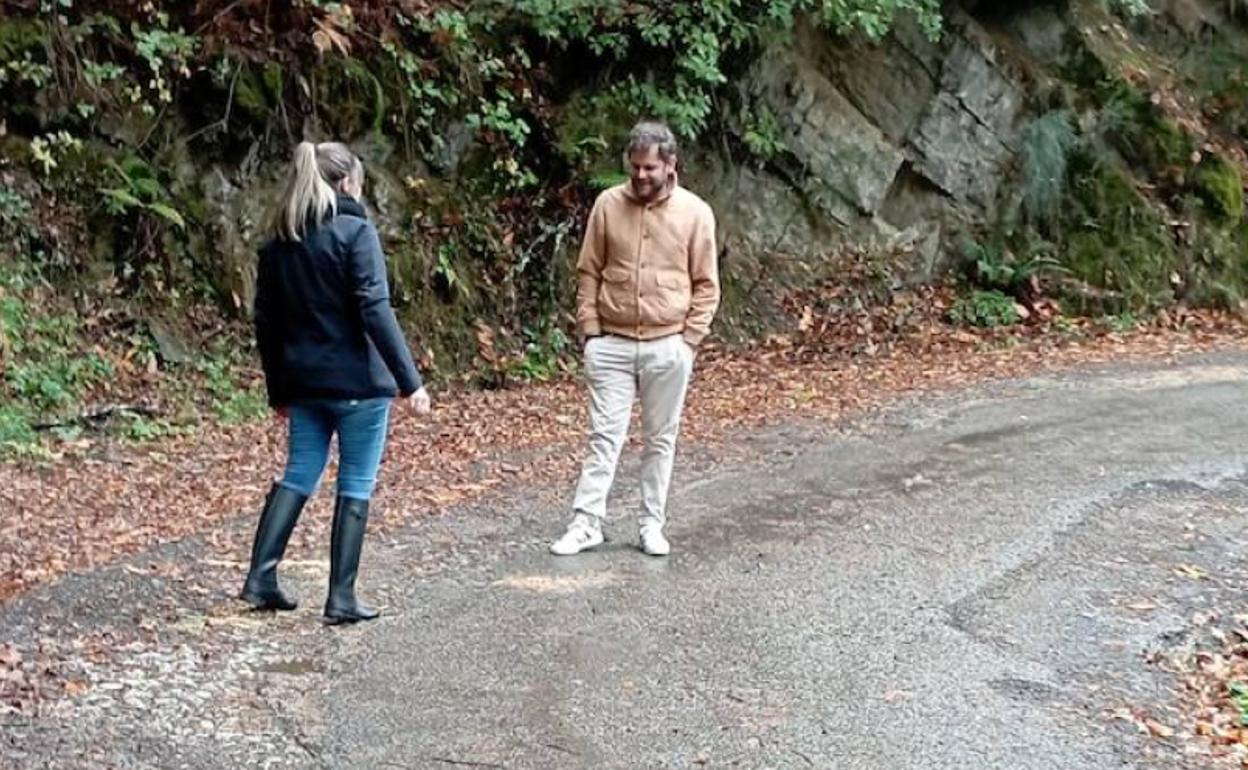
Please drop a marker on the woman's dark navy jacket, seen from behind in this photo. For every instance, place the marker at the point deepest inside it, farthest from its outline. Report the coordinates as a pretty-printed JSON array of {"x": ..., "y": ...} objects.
[{"x": 324, "y": 321}]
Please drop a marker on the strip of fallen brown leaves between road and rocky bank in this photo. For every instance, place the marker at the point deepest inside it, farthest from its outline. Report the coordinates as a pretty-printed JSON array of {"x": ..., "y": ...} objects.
[{"x": 98, "y": 507}]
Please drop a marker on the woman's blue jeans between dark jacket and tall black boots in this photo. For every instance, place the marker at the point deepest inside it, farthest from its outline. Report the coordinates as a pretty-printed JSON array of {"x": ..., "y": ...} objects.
[{"x": 361, "y": 427}]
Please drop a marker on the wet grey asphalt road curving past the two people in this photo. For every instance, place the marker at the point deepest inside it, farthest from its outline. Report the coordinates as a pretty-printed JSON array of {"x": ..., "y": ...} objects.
[{"x": 973, "y": 582}]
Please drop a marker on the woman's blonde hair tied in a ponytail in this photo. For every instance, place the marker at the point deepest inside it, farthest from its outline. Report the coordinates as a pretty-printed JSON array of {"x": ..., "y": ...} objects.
[{"x": 310, "y": 192}]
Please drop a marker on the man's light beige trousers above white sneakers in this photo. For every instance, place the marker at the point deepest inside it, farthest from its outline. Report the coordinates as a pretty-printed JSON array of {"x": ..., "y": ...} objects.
[{"x": 620, "y": 371}]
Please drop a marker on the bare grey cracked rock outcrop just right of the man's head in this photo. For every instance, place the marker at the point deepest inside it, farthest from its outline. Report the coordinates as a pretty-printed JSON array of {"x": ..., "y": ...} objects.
[{"x": 884, "y": 143}]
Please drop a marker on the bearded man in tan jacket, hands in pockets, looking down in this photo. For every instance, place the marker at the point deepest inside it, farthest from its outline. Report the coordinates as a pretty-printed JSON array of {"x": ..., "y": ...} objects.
[{"x": 647, "y": 290}]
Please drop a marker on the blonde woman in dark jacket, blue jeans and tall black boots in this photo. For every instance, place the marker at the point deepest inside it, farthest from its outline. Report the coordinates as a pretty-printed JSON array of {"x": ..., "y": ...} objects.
[{"x": 334, "y": 359}]
